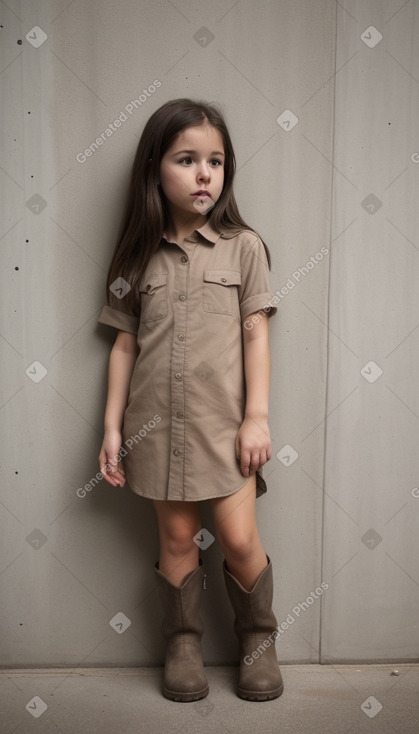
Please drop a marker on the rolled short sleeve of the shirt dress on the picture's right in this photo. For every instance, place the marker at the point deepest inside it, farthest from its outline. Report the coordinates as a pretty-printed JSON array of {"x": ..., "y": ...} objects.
[{"x": 254, "y": 292}]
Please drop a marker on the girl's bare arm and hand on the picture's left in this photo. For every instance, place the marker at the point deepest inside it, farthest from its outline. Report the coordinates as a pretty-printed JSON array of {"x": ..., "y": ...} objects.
[{"x": 121, "y": 364}]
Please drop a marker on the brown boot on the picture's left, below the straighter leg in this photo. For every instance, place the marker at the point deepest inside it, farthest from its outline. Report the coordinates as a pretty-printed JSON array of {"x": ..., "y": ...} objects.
[{"x": 184, "y": 678}]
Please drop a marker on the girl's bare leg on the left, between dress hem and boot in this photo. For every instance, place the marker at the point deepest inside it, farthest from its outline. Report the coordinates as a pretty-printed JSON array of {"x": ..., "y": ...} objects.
[{"x": 178, "y": 523}]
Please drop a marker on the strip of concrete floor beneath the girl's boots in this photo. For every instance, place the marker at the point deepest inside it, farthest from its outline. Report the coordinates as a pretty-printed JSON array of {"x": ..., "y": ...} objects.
[{"x": 318, "y": 699}]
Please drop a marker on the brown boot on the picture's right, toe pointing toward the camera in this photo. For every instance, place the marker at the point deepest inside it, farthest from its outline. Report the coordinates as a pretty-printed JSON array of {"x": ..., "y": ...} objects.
[{"x": 256, "y": 628}]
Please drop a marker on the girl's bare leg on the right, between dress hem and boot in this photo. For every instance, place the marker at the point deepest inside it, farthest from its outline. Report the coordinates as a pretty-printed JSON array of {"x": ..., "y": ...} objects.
[{"x": 238, "y": 535}]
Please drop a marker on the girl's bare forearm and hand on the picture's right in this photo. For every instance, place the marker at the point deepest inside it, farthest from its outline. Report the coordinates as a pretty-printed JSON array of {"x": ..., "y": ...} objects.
[{"x": 253, "y": 442}]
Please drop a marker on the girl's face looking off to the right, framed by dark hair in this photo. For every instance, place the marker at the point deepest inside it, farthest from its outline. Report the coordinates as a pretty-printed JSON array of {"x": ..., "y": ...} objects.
[{"x": 192, "y": 165}]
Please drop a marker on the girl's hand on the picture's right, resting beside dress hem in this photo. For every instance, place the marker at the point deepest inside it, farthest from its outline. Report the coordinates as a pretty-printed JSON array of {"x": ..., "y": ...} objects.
[{"x": 253, "y": 445}]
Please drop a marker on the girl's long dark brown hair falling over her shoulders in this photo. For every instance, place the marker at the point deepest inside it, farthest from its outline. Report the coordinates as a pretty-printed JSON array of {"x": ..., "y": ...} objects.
[{"x": 145, "y": 214}]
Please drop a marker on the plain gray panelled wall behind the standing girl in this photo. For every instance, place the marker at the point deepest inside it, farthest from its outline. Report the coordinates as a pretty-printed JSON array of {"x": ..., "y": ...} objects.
[{"x": 342, "y": 506}]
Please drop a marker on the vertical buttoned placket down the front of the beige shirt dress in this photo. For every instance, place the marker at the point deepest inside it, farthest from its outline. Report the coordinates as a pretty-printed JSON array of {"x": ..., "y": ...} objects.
[{"x": 177, "y": 438}]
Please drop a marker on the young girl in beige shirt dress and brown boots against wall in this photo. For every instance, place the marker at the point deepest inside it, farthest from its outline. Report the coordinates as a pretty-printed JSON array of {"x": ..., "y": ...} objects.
[{"x": 187, "y": 411}]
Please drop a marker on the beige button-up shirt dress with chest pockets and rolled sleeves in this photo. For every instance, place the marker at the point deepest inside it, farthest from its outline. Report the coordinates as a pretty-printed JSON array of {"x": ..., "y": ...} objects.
[{"x": 187, "y": 393}]
